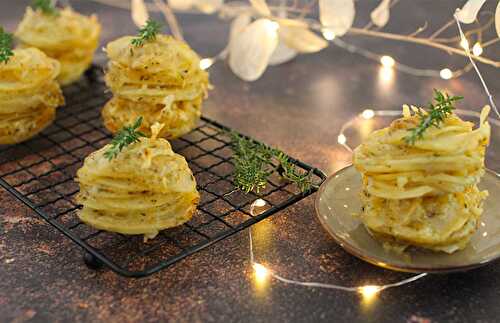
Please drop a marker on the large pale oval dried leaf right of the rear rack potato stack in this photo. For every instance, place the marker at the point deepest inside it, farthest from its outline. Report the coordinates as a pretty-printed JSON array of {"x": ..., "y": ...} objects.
[{"x": 251, "y": 50}]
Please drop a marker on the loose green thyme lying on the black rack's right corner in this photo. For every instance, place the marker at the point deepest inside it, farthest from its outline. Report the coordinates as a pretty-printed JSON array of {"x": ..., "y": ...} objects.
[{"x": 254, "y": 163}]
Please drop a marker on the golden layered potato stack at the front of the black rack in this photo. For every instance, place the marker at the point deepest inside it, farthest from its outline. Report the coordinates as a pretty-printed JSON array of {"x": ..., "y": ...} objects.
[{"x": 145, "y": 189}]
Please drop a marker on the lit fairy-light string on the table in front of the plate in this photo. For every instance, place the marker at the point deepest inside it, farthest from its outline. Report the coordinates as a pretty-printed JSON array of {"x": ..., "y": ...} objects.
[{"x": 367, "y": 290}]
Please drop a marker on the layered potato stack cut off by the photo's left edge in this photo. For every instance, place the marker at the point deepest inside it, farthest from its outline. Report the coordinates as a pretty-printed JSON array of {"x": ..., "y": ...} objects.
[{"x": 29, "y": 95}]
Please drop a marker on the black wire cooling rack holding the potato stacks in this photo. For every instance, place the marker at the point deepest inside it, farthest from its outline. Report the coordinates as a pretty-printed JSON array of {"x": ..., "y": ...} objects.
[{"x": 41, "y": 172}]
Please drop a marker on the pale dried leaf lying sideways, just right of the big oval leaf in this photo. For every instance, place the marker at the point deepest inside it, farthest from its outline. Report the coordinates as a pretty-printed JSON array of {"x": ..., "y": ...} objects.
[{"x": 302, "y": 39}]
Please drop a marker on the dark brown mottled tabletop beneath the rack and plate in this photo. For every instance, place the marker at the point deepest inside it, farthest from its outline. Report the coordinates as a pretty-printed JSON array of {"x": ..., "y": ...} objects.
[{"x": 299, "y": 107}]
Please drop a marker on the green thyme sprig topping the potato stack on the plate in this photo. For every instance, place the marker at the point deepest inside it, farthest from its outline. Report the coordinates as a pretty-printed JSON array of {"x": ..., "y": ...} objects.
[{"x": 438, "y": 112}]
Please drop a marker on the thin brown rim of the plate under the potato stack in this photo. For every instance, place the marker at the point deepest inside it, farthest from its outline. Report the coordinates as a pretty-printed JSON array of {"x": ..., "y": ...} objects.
[{"x": 374, "y": 260}]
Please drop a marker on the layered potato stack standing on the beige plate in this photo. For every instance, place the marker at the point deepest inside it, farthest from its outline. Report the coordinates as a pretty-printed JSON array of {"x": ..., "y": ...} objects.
[{"x": 424, "y": 194}]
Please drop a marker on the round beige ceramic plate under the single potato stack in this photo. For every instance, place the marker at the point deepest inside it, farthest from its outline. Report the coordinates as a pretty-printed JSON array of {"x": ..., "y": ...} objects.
[{"x": 338, "y": 199}]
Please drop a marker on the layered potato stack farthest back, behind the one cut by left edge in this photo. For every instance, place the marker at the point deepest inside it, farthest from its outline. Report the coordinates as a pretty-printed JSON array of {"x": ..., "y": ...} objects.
[{"x": 69, "y": 37}]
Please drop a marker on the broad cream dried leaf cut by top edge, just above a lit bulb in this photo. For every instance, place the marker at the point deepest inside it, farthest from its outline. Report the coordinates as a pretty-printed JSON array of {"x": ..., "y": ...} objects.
[{"x": 337, "y": 15}]
